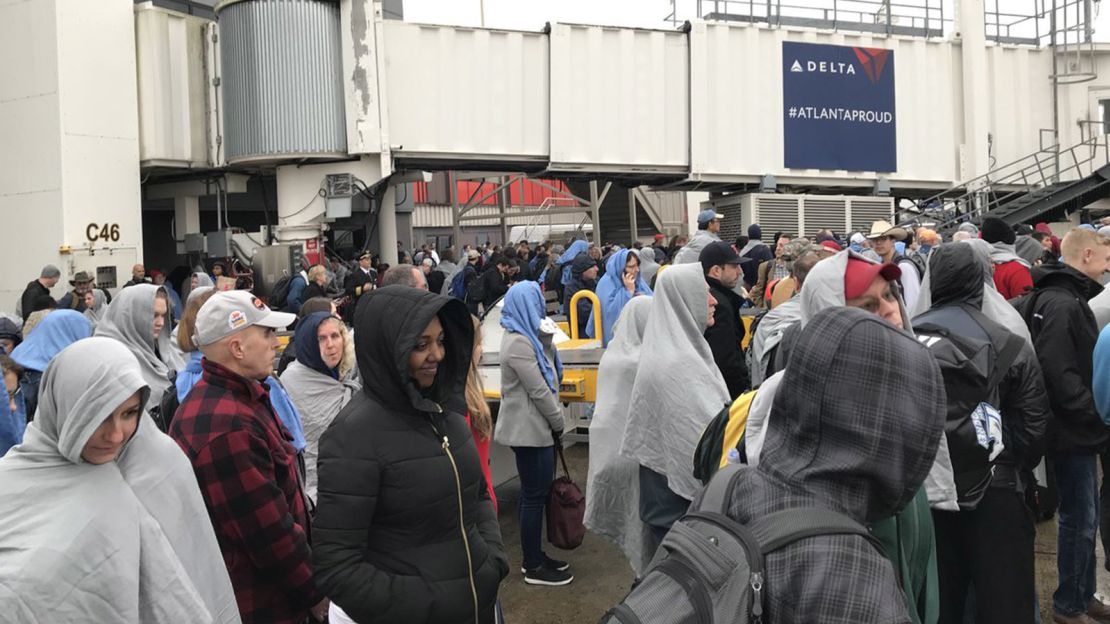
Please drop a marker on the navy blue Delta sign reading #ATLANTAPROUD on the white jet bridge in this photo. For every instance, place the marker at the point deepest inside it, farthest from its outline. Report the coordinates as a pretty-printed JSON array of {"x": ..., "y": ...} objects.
[{"x": 839, "y": 108}]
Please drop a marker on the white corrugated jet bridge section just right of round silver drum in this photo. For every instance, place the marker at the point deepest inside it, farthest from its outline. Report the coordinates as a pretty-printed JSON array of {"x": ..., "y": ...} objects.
[{"x": 472, "y": 93}]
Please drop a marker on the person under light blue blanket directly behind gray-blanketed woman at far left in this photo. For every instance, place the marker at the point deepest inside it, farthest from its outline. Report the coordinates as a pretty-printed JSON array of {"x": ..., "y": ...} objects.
[{"x": 58, "y": 330}]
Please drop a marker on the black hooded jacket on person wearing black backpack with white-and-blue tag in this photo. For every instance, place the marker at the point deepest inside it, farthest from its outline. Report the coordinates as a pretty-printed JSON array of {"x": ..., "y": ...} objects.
[{"x": 957, "y": 281}]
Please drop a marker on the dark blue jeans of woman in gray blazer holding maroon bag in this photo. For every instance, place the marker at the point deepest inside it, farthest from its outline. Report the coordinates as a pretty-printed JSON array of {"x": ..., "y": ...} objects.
[{"x": 537, "y": 468}]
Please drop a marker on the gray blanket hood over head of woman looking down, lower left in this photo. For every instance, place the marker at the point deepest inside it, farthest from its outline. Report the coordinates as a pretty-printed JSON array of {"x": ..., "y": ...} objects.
[{"x": 80, "y": 389}]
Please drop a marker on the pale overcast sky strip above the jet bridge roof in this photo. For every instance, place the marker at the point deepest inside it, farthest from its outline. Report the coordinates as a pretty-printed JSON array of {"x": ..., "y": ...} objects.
[{"x": 532, "y": 15}]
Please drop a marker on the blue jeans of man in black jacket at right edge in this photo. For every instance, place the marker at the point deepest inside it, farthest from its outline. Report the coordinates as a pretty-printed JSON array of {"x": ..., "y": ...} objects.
[{"x": 1077, "y": 478}]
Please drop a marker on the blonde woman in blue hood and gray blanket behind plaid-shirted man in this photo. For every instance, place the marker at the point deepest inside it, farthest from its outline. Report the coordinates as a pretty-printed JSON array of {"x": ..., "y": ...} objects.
[{"x": 315, "y": 384}]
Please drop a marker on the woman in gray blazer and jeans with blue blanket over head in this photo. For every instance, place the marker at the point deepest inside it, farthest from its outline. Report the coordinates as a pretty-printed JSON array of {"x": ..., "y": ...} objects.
[{"x": 531, "y": 419}]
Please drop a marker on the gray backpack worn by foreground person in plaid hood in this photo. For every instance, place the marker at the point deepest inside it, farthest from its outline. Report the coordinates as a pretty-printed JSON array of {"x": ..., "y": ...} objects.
[{"x": 710, "y": 569}]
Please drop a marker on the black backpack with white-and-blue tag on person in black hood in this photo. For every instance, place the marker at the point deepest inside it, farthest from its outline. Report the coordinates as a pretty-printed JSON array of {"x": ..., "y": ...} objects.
[{"x": 972, "y": 369}]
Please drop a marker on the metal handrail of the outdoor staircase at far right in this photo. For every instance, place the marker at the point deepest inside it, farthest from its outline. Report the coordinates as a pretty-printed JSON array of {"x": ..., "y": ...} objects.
[{"x": 973, "y": 199}]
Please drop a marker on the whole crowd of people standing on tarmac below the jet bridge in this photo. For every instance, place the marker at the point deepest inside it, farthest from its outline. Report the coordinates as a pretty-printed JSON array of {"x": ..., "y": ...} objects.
[{"x": 942, "y": 395}]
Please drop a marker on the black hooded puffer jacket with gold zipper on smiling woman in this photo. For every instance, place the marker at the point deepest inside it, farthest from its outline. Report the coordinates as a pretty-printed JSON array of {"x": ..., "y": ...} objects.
[{"x": 405, "y": 528}]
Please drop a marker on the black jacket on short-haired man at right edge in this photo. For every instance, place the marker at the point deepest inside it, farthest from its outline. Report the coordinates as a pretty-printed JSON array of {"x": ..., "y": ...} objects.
[{"x": 1065, "y": 334}]
